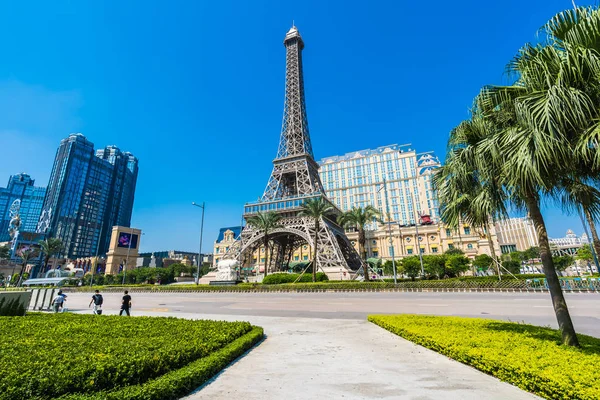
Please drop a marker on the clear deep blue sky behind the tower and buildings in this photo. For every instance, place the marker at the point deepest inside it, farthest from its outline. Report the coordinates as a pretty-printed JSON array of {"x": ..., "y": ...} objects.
[{"x": 195, "y": 89}]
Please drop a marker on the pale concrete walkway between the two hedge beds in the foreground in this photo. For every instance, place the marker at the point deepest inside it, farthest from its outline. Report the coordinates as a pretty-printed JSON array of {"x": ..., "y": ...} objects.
[{"x": 342, "y": 359}]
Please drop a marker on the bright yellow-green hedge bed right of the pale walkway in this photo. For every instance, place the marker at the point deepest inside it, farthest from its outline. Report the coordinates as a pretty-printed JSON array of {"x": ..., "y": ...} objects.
[{"x": 526, "y": 356}]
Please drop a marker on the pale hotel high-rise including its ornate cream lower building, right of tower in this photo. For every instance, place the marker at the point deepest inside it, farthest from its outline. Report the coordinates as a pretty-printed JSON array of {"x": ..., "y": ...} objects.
[{"x": 398, "y": 179}]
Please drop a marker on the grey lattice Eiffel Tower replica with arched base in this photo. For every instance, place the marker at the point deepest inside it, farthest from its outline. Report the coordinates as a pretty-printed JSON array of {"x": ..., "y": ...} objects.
[{"x": 295, "y": 179}]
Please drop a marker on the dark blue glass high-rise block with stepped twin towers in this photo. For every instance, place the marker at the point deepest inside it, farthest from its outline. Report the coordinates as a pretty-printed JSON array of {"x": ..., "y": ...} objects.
[{"x": 87, "y": 195}]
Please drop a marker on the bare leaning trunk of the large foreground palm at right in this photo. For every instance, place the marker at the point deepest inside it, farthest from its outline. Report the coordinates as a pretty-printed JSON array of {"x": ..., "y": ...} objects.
[{"x": 561, "y": 310}]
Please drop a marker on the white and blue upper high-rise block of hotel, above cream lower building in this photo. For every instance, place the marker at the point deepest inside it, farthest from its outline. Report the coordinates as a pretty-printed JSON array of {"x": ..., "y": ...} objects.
[{"x": 356, "y": 179}]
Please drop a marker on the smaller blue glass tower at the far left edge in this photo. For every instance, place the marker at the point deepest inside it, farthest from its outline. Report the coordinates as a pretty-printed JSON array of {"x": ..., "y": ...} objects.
[{"x": 21, "y": 189}]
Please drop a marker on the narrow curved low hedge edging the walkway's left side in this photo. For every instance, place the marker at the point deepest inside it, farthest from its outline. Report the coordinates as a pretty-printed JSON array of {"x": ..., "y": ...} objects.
[{"x": 183, "y": 381}]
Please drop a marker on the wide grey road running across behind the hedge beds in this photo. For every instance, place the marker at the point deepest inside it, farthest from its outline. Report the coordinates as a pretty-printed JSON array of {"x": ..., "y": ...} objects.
[{"x": 533, "y": 308}]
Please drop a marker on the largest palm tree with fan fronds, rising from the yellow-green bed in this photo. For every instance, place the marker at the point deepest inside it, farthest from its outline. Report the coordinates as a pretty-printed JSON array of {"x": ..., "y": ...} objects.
[{"x": 540, "y": 128}]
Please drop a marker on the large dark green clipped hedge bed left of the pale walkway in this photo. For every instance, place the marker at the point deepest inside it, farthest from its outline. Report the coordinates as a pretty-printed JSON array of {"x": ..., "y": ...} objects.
[{"x": 46, "y": 356}]
